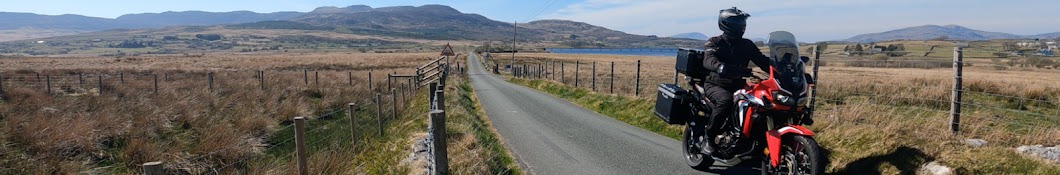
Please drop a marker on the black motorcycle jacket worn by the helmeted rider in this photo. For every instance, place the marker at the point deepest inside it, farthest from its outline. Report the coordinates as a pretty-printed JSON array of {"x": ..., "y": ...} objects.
[{"x": 727, "y": 59}]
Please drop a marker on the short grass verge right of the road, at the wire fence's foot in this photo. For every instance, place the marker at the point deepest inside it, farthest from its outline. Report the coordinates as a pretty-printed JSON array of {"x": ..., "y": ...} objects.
[{"x": 881, "y": 141}]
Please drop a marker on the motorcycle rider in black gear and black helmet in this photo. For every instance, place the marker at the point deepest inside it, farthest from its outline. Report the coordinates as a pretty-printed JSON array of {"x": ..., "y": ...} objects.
[{"x": 727, "y": 58}]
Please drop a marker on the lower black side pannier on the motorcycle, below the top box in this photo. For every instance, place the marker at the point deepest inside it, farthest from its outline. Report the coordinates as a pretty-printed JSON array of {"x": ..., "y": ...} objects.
[{"x": 672, "y": 104}]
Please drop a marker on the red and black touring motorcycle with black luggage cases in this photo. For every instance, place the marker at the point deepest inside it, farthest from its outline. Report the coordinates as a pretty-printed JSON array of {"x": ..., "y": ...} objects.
[{"x": 767, "y": 124}]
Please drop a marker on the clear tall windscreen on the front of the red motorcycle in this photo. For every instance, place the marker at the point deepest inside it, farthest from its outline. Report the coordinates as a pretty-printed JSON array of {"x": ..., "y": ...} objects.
[{"x": 784, "y": 57}]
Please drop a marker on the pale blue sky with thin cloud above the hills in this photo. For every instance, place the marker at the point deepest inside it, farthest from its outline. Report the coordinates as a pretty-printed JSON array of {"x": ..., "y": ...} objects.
[{"x": 810, "y": 21}]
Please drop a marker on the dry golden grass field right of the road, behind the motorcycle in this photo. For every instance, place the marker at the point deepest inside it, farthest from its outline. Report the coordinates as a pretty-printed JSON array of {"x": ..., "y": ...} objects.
[{"x": 893, "y": 120}]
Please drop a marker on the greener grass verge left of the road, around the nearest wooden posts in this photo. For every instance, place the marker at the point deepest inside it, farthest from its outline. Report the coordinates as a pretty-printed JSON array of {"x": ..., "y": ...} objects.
[{"x": 474, "y": 148}]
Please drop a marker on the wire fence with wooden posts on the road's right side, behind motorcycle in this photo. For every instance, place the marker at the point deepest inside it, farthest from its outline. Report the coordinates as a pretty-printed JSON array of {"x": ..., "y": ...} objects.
[{"x": 1018, "y": 109}]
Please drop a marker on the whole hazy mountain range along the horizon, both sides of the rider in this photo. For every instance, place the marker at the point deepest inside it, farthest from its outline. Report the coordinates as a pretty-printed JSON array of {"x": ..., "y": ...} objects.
[{"x": 432, "y": 23}]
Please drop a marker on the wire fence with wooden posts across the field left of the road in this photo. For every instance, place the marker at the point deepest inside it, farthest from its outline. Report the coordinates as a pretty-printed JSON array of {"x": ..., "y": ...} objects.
[{"x": 324, "y": 135}]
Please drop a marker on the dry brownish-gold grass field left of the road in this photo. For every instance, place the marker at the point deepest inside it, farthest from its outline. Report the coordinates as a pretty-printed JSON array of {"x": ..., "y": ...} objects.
[{"x": 77, "y": 130}]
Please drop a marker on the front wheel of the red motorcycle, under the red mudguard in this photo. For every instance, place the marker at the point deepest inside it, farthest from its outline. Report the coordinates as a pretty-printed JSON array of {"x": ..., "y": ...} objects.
[{"x": 800, "y": 155}]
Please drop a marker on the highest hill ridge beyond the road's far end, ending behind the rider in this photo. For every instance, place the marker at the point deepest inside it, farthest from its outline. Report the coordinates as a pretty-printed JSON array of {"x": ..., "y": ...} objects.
[{"x": 446, "y": 23}]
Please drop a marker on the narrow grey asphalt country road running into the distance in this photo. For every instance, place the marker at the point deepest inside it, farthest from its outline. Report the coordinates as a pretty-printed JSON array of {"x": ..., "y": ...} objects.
[{"x": 552, "y": 136}]
